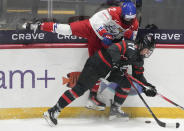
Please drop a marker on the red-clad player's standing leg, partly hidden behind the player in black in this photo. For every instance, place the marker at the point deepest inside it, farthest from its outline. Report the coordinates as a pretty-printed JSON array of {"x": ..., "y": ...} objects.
[{"x": 94, "y": 44}]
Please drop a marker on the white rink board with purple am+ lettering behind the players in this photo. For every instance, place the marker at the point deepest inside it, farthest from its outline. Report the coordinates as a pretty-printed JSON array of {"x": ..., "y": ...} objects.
[{"x": 34, "y": 77}]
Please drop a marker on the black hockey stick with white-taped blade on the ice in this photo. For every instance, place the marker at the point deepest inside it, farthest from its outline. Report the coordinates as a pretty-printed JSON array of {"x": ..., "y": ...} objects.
[{"x": 160, "y": 123}]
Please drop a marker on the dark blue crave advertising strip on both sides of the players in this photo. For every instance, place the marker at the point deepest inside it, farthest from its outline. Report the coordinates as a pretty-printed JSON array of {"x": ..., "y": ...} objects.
[{"x": 28, "y": 37}]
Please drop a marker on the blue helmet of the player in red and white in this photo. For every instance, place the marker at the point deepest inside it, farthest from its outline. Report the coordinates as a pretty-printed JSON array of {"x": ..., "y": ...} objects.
[{"x": 128, "y": 11}]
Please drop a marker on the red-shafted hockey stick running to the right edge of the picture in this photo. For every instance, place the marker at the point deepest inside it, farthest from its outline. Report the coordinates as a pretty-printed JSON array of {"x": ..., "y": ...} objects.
[{"x": 163, "y": 97}]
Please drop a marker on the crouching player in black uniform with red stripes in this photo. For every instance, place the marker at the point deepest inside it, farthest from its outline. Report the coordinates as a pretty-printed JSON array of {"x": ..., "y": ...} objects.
[{"x": 99, "y": 65}]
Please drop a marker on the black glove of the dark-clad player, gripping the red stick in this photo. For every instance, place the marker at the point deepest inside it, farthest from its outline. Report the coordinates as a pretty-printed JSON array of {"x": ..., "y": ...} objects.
[{"x": 150, "y": 90}]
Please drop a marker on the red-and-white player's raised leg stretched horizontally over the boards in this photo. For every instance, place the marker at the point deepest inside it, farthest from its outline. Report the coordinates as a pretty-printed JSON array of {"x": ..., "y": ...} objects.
[{"x": 79, "y": 28}]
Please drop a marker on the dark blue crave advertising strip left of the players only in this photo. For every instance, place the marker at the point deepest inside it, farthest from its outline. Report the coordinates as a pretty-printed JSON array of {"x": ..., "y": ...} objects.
[{"x": 28, "y": 37}]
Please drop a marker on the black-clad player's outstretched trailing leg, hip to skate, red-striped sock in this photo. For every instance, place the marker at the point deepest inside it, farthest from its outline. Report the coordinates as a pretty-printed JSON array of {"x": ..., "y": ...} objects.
[{"x": 88, "y": 77}]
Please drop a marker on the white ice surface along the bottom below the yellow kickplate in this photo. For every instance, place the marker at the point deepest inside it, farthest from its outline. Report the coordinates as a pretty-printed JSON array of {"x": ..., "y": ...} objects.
[{"x": 88, "y": 124}]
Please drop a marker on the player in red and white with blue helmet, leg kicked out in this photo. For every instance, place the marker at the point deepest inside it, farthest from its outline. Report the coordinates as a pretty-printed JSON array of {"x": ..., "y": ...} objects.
[{"x": 100, "y": 30}]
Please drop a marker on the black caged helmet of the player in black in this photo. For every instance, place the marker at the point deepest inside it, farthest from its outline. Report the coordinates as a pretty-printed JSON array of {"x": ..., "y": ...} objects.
[{"x": 147, "y": 42}]
